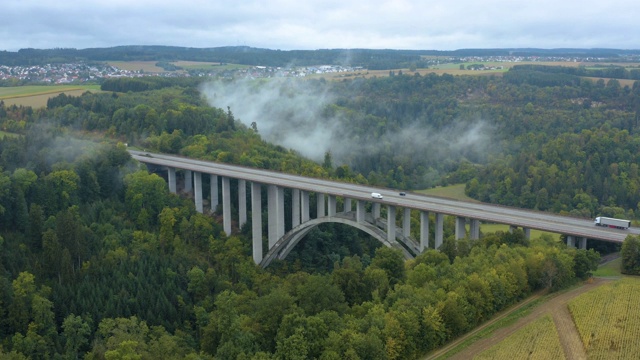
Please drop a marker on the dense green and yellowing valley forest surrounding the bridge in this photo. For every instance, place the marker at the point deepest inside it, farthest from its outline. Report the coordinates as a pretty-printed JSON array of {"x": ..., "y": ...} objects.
[{"x": 98, "y": 260}]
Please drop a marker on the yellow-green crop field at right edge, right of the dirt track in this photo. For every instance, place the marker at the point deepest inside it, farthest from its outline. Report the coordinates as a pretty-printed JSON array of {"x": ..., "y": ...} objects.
[{"x": 608, "y": 320}]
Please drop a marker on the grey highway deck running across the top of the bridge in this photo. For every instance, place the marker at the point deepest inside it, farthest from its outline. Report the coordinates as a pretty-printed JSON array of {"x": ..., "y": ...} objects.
[{"x": 484, "y": 212}]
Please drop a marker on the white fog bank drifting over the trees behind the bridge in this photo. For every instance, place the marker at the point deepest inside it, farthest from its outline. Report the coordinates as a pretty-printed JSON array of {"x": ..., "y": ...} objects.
[{"x": 293, "y": 113}]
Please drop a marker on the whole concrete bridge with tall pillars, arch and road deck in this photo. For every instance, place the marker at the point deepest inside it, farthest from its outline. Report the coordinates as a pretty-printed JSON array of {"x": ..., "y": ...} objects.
[{"x": 355, "y": 199}]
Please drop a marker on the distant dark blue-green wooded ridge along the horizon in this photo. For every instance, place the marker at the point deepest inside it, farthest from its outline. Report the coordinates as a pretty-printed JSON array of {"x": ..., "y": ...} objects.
[{"x": 372, "y": 59}]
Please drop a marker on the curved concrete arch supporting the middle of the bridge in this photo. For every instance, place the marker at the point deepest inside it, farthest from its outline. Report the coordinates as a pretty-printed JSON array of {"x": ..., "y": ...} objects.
[{"x": 283, "y": 247}]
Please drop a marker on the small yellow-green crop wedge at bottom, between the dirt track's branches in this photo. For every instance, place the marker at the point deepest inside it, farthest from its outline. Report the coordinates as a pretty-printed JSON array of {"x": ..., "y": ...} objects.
[{"x": 538, "y": 340}]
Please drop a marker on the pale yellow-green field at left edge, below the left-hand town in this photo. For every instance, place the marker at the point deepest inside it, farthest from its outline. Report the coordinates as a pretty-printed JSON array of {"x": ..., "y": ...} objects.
[{"x": 37, "y": 96}]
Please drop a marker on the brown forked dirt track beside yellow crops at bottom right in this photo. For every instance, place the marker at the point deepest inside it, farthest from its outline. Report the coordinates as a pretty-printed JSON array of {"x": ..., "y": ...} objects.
[{"x": 556, "y": 306}]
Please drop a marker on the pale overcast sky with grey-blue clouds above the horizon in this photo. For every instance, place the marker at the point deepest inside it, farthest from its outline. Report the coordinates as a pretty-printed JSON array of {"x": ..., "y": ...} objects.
[{"x": 321, "y": 24}]
